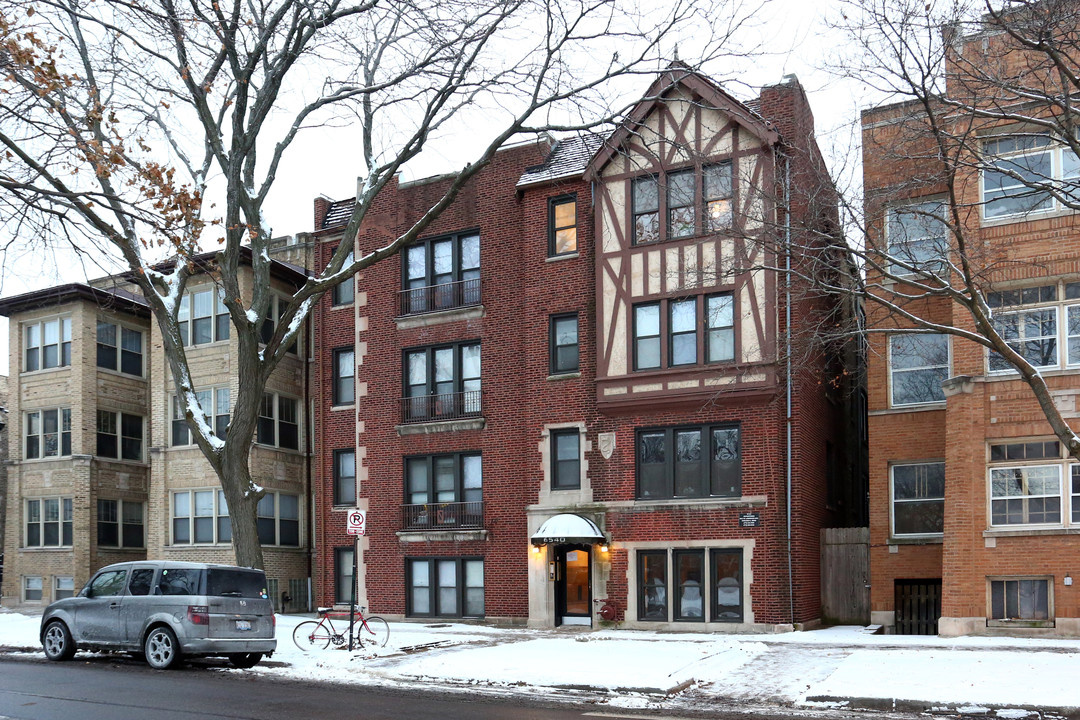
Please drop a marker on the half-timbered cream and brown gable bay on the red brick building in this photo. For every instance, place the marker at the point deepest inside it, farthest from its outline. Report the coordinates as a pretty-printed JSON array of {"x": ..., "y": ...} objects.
[{"x": 684, "y": 211}]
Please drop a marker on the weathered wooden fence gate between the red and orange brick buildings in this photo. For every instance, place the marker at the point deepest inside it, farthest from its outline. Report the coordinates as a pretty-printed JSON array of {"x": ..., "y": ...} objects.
[{"x": 845, "y": 576}]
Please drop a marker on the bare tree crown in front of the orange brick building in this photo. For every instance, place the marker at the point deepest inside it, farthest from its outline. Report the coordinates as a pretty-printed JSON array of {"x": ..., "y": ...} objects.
[{"x": 978, "y": 129}]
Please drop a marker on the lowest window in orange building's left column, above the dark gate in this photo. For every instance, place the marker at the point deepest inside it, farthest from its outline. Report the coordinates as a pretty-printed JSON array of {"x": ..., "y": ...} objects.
[{"x": 919, "y": 499}]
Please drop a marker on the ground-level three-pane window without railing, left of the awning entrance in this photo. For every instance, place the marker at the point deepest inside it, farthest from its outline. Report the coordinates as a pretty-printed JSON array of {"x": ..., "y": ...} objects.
[{"x": 447, "y": 588}]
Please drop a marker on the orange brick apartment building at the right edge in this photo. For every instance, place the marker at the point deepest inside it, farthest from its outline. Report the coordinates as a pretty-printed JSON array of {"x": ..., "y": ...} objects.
[{"x": 975, "y": 505}]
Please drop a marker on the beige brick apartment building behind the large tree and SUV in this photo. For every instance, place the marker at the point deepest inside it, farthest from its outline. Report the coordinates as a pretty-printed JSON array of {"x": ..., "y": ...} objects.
[{"x": 103, "y": 468}]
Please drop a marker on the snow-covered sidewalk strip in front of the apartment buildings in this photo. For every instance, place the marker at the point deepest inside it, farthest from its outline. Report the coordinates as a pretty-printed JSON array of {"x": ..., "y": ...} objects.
[{"x": 838, "y": 669}]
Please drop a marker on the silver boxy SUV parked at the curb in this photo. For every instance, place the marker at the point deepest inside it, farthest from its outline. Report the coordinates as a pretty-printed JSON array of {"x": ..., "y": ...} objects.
[{"x": 164, "y": 610}]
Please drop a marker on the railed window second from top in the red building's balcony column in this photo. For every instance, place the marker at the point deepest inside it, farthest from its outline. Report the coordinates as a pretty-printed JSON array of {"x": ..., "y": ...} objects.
[{"x": 442, "y": 383}]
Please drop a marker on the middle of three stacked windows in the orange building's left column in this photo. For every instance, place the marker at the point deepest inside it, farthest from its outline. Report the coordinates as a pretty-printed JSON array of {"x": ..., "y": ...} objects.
[{"x": 919, "y": 363}]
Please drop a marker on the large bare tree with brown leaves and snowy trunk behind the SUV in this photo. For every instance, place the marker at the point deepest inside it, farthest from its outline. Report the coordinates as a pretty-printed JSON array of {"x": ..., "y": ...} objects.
[{"x": 123, "y": 120}]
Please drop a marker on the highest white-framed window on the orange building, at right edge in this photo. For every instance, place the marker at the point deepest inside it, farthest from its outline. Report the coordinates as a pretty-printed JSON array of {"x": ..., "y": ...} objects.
[{"x": 1022, "y": 172}]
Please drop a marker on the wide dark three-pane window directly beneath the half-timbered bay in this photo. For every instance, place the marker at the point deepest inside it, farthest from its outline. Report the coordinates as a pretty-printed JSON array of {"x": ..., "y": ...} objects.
[{"x": 690, "y": 463}]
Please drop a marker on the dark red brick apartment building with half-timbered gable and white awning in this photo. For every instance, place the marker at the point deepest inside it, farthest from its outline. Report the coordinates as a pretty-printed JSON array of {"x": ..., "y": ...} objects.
[{"x": 573, "y": 390}]
